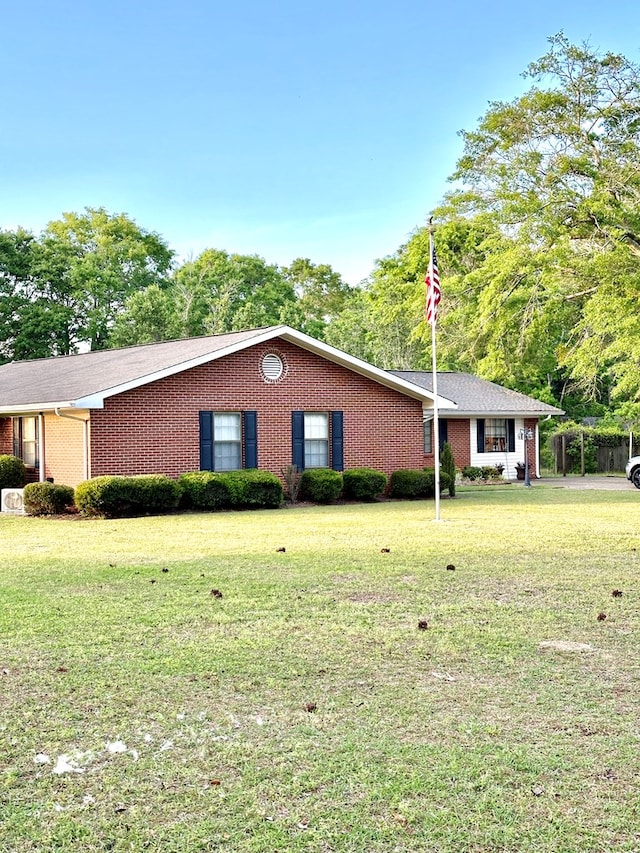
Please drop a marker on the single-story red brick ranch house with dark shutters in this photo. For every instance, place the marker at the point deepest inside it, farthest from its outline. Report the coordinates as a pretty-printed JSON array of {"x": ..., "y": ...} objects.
[{"x": 263, "y": 398}]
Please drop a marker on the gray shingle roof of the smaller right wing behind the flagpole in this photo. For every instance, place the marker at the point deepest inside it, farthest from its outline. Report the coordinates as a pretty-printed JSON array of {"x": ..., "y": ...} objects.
[{"x": 476, "y": 396}]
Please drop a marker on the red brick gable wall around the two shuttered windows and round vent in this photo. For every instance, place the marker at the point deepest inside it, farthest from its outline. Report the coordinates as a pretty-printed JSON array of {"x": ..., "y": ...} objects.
[{"x": 156, "y": 429}]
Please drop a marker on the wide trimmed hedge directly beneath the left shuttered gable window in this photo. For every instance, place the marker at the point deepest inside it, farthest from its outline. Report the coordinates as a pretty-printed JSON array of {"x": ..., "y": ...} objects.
[{"x": 248, "y": 489}]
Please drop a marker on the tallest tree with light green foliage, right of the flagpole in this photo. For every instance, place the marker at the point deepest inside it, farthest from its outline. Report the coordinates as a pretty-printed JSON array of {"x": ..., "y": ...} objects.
[{"x": 558, "y": 169}]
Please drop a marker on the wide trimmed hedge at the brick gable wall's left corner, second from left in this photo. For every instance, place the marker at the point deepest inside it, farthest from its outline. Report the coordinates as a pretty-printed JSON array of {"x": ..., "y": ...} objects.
[{"x": 127, "y": 496}]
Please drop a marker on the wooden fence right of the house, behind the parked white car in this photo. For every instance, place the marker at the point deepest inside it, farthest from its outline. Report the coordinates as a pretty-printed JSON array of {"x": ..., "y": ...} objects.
[{"x": 579, "y": 452}]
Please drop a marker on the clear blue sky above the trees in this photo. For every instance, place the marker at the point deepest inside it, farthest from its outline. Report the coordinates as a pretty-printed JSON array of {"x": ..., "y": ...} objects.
[{"x": 285, "y": 129}]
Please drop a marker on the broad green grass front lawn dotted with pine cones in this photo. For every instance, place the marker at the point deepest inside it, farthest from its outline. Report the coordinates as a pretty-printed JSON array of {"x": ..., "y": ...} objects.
[{"x": 304, "y": 710}]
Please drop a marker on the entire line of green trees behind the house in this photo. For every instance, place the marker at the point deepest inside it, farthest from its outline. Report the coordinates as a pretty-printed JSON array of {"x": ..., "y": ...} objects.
[{"x": 538, "y": 246}]
